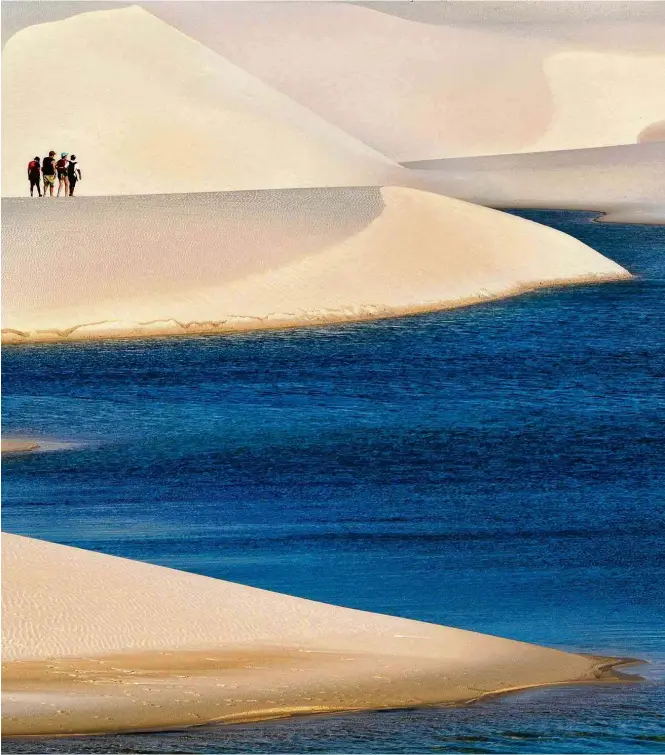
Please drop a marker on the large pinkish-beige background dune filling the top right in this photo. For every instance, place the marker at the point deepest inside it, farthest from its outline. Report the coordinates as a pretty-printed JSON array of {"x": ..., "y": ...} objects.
[{"x": 476, "y": 83}]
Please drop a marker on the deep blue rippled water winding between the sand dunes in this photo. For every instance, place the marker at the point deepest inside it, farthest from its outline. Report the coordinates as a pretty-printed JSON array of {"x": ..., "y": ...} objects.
[{"x": 499, "y": 468}]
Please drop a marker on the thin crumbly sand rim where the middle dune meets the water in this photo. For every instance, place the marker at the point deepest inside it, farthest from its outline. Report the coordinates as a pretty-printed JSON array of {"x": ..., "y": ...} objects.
[{"x": 171, "y": 327}]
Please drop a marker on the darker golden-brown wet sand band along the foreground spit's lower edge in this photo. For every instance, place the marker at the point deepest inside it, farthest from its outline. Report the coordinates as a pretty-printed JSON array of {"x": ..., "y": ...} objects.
[{"x": 320, "y": 695}]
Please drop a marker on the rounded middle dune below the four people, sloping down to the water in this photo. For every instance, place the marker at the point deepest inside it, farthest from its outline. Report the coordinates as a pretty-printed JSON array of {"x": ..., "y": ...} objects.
[{"x": 422, "y": 252}]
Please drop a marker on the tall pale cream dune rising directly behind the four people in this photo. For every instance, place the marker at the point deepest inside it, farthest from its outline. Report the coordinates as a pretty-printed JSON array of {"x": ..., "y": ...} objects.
[{"x": 148, "y": 110}]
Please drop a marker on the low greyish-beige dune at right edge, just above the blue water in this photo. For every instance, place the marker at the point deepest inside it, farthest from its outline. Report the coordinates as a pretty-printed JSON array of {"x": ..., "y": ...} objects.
[{"x": 625, "y": 181}]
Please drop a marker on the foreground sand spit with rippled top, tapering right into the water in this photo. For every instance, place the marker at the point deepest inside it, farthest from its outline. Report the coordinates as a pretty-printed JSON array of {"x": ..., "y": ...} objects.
[{"x": 94, "y": 643}]
